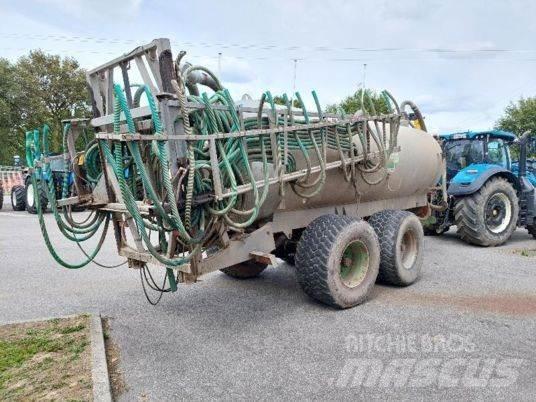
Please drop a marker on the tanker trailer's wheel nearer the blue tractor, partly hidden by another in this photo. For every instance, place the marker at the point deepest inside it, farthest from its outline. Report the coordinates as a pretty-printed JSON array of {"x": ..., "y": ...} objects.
[{"x": 402, "y": 246}]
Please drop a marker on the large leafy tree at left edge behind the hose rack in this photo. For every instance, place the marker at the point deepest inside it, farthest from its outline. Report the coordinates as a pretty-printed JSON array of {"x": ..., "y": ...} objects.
[{"x": 39, "y": 88}]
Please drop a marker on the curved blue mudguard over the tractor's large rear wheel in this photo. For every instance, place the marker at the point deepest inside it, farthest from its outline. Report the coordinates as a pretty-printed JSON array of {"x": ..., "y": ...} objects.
[{"x": 470, "y": 179}]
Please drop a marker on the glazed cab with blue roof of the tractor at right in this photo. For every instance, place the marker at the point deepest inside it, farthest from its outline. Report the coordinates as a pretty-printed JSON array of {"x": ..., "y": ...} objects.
[{"x": 470, "y": 153}]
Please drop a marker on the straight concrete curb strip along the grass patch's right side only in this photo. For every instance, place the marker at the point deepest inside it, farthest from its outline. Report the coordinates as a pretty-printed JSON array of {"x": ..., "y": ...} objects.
[{"x": 99, "y": 368}]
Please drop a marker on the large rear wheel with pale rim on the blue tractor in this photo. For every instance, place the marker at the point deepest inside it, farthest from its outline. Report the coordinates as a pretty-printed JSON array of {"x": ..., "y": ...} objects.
[{"x": 489, "y": 216}]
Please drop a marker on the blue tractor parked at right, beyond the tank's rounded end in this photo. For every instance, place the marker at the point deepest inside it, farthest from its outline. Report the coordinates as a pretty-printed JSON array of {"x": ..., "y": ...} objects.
[{"x": 488, "y": 193}]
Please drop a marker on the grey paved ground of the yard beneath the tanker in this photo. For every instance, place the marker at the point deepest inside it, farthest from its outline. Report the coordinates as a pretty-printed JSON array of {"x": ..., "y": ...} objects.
[{"x": 464, "y": 330}]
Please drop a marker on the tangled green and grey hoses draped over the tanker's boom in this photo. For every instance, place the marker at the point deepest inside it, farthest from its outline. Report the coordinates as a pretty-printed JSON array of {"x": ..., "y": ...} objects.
[{"x": 142, "y": 170}]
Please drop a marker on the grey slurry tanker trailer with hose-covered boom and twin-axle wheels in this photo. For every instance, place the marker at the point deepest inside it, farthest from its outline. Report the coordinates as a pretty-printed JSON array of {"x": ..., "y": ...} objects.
[{"x": 192, "y": 181}]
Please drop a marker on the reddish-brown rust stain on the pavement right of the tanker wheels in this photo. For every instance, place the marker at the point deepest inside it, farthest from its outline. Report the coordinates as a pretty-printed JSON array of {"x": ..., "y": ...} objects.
[{"x": 513, "y": 304}]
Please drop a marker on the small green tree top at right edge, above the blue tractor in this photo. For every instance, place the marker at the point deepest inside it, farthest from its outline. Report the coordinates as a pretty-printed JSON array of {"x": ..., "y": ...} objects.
[{"x": 519, "y": 117}]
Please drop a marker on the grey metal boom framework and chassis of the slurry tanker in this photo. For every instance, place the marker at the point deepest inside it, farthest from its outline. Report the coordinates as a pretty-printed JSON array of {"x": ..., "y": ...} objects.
[{"x": 156, "y": 68}]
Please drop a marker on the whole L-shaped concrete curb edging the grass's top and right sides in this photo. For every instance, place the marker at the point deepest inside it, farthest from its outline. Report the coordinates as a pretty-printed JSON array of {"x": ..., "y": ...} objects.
[{"x": 99, "y": 368}]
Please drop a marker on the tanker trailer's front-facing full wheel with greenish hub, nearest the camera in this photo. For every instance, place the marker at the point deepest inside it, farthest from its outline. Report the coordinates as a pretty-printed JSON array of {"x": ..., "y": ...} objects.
[{"x": 337, "y": 260}]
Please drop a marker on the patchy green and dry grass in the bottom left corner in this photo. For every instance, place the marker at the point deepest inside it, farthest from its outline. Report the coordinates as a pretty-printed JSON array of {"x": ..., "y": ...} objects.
[{"x": 46, "y": 360}]
